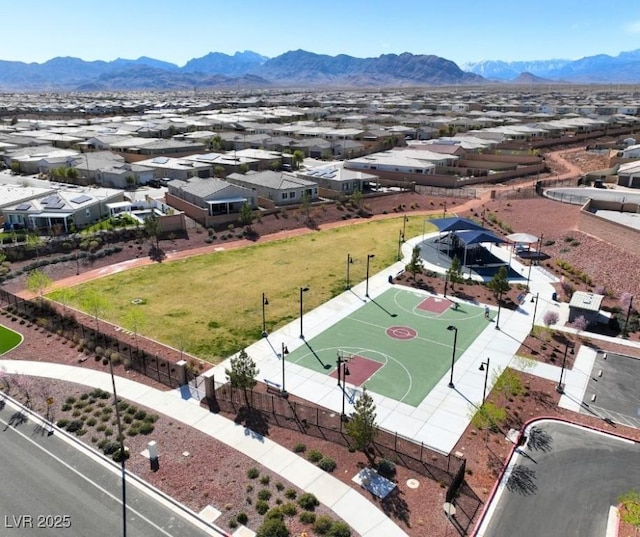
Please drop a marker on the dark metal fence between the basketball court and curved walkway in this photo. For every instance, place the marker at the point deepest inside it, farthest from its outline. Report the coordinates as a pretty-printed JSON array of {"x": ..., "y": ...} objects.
[{"x": 319, "y": 422}]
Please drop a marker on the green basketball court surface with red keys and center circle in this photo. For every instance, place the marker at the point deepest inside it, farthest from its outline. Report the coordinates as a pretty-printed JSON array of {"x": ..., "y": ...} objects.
[{"x": 398, "y": 343}]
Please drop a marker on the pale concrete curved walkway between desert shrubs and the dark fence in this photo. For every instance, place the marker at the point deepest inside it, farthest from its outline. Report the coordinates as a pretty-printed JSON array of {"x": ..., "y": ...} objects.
[{"x": 361, "y": 514}]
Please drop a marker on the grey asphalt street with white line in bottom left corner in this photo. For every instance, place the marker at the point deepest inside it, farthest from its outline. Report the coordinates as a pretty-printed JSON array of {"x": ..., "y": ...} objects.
[{"x": 51, "y": 488}]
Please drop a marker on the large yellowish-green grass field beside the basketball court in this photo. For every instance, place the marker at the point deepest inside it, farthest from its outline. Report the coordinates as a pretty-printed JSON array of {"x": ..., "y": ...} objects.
[{"x": 211, "y": 305}]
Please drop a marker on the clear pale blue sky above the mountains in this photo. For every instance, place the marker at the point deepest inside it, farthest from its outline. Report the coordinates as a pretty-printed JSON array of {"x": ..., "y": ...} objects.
[{"x": 176, "y": 31}]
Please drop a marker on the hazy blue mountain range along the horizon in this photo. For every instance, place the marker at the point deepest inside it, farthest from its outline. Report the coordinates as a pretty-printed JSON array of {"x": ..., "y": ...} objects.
[{"x": 306, "y": 69}]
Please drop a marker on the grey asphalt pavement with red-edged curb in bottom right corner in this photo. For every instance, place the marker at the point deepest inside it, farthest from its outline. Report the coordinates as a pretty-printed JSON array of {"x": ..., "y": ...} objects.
[{"x": 565, "y": 486}]
